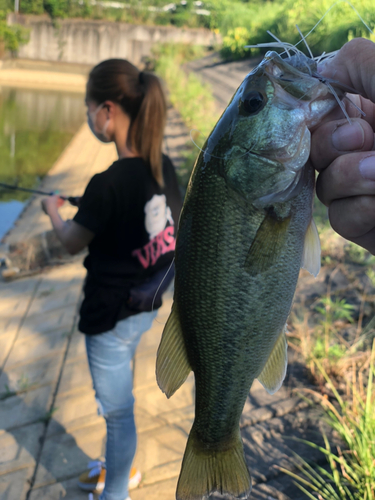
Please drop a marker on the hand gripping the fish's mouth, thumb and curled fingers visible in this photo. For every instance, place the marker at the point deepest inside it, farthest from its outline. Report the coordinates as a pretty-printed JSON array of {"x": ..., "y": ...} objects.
[{"x": 344, "y": 154}]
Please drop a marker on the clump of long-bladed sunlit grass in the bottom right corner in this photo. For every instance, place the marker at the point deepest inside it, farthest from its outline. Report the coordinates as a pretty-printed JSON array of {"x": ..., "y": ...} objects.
[{"x": 350, "y": 470}]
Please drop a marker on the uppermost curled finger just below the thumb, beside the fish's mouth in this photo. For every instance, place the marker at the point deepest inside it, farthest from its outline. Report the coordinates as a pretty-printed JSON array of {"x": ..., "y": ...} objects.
[{"x": 335, "y": 138}]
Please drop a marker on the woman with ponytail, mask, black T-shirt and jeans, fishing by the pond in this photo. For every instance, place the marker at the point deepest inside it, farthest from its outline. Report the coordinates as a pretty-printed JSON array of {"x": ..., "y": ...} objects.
[{"x": 127, "y": 217}]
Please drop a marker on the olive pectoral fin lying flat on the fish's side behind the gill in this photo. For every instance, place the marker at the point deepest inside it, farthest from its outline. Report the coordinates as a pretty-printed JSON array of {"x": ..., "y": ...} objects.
[{"x": 268, "y": 244}]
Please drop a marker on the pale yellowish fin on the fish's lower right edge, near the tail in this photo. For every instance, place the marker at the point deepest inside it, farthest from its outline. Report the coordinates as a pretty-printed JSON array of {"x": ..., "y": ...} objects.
[{"x": 274, "y": 371}]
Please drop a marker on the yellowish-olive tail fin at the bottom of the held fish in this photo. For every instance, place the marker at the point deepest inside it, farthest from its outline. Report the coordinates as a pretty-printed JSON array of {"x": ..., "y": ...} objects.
[{"x": 205, "y": 470}]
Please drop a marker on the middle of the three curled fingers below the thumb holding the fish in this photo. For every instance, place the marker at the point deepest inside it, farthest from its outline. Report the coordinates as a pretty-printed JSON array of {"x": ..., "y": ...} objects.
[{"x": 349, "y": 175}]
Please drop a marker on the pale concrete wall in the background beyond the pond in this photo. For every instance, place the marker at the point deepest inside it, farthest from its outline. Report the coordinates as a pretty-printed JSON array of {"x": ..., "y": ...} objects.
[{"x": 89, "y": 42}]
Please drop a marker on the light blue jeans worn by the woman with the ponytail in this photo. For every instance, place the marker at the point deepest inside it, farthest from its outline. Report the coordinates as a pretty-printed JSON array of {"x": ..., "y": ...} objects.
[{"x": 109, "y": 355}]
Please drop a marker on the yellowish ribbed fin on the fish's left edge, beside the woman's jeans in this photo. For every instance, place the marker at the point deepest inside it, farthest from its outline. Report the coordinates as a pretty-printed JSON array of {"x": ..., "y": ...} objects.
[{"x": 172, "y": 364}]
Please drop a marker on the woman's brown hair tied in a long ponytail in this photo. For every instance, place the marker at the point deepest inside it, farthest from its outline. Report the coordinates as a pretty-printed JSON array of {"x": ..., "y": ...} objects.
[{"x": 141, "y": 96}]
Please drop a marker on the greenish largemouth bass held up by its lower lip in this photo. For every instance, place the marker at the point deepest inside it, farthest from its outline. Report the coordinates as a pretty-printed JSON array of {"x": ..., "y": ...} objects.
[{"x": 245, "y": 230}]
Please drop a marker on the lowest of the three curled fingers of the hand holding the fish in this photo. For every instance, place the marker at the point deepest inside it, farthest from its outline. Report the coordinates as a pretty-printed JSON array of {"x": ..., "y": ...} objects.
[{"x": 354, "y": 219}]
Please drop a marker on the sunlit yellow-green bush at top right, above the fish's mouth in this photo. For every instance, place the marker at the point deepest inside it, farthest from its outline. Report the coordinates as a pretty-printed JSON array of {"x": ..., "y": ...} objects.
[{"x": 280, "y": 17}]
